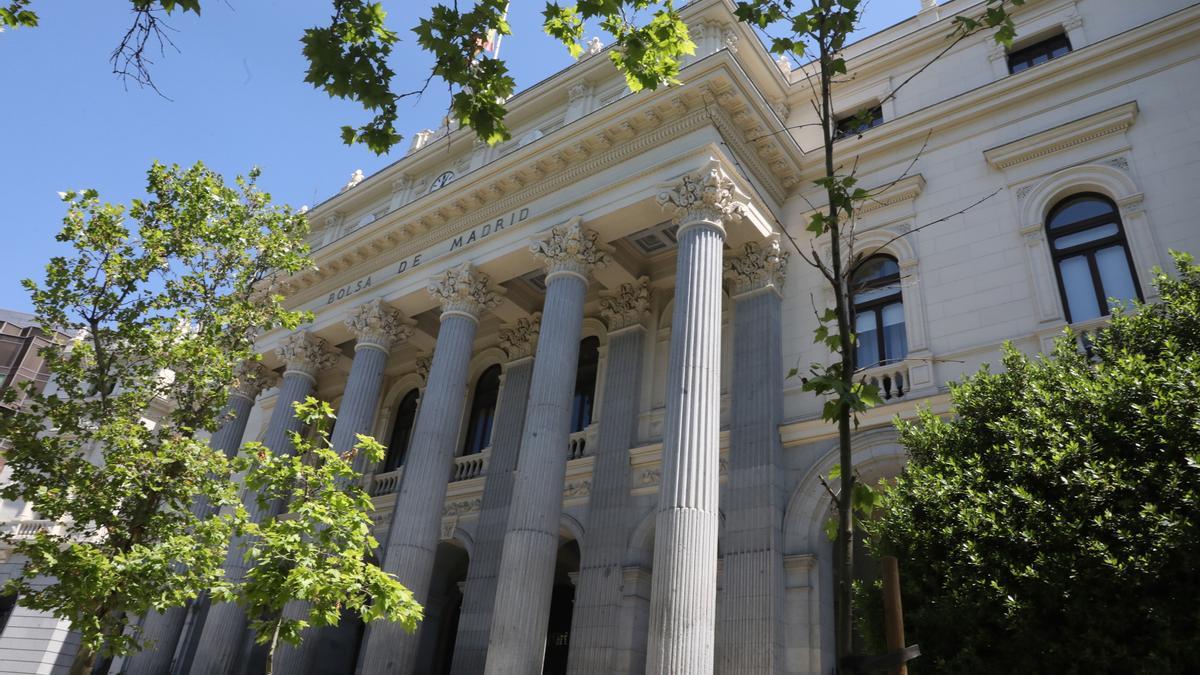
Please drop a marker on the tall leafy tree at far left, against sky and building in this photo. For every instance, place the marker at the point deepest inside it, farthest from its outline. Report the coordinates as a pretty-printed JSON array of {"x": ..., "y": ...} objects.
[{"x": 165, "y": 298}]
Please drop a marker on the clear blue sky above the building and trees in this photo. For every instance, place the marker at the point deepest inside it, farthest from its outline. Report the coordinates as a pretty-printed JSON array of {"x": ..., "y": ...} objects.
[{"x": 237, "y": 99}]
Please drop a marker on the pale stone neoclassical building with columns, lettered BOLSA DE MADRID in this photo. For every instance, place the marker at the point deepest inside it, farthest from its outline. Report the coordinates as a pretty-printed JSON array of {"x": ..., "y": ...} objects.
[{"x": 577, "y": 344}]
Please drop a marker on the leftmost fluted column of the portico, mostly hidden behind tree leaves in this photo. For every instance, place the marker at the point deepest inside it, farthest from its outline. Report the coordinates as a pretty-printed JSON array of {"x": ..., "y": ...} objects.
[{"x": 163, "y": 631}]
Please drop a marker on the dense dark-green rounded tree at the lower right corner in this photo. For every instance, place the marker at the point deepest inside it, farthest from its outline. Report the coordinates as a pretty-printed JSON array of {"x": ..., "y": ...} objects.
[{"x": 1053, "y": 524}]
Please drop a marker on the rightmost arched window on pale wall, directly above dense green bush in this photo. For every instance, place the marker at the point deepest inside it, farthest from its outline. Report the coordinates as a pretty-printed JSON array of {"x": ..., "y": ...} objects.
[{"x": 1090, "y": 255}]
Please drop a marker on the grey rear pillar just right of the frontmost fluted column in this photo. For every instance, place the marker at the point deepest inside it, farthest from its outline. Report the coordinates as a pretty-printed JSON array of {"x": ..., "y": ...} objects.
[{"x": 751, "y": 624}]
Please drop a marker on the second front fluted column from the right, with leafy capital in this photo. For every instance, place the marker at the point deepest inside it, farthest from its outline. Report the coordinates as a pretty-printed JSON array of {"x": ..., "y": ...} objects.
[{"x": 531, "y": 545}]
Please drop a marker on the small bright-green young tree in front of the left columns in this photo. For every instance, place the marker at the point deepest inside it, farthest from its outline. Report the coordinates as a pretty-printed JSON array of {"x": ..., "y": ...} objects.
[{"x": 319, "y": 552}]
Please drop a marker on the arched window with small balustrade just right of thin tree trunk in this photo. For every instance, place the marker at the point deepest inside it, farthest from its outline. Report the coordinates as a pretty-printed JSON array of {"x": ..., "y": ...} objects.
[{"x": 879, "y": 313}]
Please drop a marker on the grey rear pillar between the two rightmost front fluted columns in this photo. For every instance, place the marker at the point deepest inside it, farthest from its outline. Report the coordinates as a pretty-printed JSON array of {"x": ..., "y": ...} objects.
[{"x": 596, "y": 623}]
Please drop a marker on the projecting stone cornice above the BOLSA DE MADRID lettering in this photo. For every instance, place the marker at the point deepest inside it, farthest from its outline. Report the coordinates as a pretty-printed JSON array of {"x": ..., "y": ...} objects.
[{"x": 574, "y": 153}]
